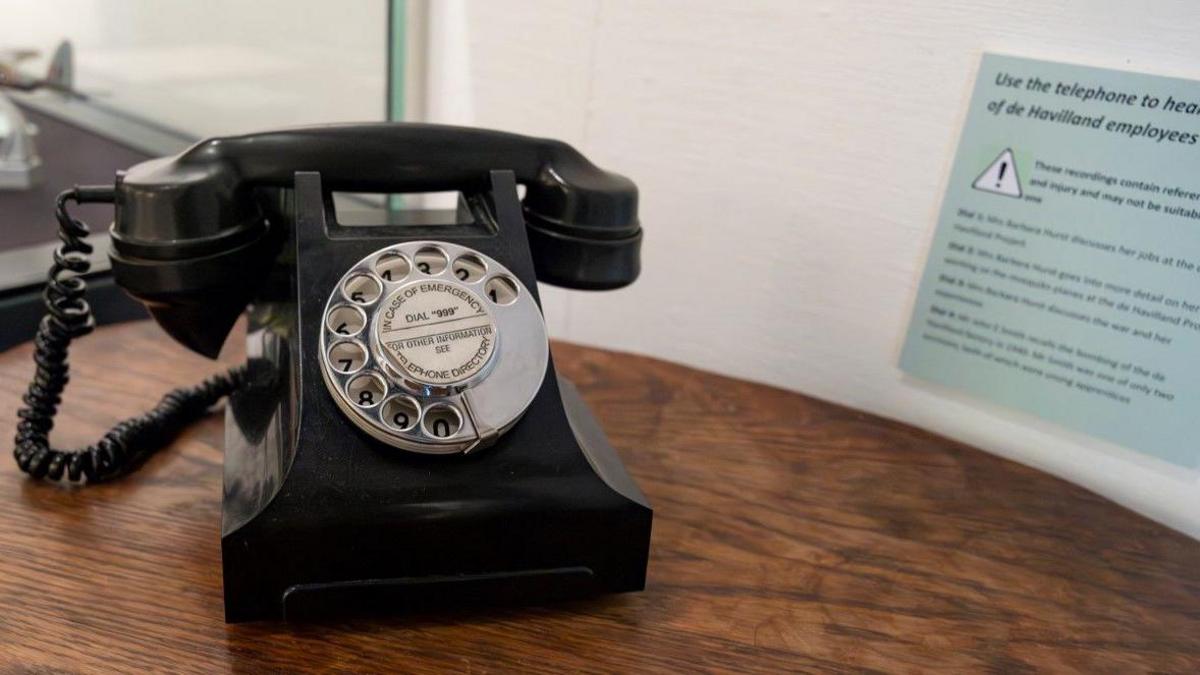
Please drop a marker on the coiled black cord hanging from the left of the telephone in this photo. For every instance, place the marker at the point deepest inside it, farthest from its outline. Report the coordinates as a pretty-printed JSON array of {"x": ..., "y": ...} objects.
[{"x": 69, "y": 316}]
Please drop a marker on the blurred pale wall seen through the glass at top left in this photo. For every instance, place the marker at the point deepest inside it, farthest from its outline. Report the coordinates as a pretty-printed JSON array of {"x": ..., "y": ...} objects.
[{"x": 218, "y": 67}]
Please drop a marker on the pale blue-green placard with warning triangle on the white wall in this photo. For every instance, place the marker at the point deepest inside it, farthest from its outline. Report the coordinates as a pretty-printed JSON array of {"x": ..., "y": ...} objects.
[{"x": 1064, "y": 278}]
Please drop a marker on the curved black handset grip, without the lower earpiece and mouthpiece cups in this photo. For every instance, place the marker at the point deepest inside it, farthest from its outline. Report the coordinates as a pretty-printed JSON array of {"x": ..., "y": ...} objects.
[{"x": 203, "y": 192}]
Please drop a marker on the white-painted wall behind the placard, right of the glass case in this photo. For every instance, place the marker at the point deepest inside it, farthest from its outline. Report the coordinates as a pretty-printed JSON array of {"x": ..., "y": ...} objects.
[{"x": 791, "y": 158}]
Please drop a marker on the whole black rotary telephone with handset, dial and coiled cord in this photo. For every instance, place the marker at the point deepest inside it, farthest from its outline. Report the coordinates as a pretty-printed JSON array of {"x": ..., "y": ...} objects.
[{"x": 398, "y": 438}]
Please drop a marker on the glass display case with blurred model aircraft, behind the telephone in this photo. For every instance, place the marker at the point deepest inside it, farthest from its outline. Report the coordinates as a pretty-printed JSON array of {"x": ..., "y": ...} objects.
[{"x": 141, "y": 79}]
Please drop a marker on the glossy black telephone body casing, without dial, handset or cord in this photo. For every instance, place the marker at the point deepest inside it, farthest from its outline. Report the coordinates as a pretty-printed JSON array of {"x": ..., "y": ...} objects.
[{"x": 320, "y": 519}]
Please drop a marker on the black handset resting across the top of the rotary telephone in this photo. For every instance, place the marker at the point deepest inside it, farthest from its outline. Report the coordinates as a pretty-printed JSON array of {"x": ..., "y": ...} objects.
[{"x": 193, "y": 242}]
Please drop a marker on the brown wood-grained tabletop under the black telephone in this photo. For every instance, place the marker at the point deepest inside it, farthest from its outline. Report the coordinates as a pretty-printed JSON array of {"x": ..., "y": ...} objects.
[{"x": 789, "y": 535}]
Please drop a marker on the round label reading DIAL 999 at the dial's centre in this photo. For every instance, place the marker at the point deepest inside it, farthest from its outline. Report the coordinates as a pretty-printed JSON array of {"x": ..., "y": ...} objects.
[{"x": 437, "y": 333}]
